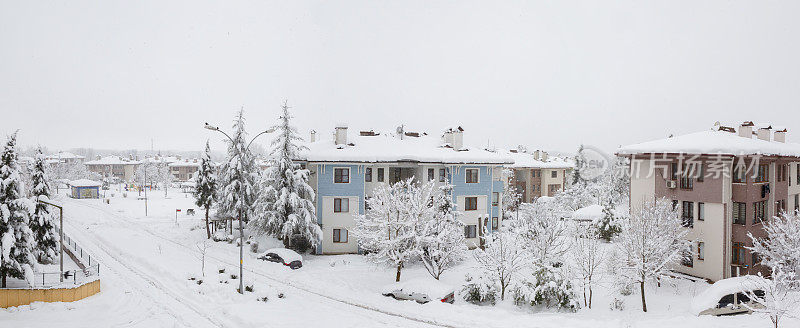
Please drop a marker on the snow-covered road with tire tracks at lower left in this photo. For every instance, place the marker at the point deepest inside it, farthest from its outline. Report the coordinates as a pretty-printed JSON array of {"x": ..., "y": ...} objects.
[{"x": 144, "y": 284}]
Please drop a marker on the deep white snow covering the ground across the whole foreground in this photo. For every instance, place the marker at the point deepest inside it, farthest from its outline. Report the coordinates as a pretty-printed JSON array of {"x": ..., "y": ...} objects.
[{"x": 148, "y": 263}]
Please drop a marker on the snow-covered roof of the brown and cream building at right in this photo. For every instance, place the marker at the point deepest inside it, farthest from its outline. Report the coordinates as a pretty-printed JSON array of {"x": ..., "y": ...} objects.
[{"x": 713, "y": 142}]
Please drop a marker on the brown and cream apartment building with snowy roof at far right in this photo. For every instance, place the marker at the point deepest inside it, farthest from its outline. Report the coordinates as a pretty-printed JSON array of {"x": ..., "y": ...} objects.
[{"x": 726, "y": 182}]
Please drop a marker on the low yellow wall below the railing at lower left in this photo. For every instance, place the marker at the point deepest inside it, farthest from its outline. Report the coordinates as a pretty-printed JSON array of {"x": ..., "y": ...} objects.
[{"x": 17, "y": 297}]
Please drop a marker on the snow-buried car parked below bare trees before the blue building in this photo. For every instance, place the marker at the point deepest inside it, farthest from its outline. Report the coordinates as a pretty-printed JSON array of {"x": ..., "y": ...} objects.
[{"x": 421, "y": 290}]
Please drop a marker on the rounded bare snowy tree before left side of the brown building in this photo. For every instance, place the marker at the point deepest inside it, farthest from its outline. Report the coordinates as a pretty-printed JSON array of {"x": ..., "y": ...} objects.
[{"x": 651, "y": 242}]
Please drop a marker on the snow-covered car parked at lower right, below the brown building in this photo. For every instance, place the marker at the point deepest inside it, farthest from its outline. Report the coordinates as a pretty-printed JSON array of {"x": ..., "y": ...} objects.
[{"x": 730, "y": 296}]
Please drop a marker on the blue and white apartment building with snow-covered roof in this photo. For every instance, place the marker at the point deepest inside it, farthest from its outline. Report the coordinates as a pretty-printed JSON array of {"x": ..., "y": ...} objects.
[{"x": 346, "y": 169}]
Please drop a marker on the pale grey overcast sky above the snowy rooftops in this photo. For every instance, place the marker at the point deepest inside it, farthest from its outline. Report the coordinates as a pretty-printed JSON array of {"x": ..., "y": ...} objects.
[{"x": 548, "y": 74}]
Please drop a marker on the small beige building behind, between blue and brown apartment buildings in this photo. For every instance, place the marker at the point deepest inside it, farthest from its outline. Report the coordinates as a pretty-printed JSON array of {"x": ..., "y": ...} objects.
[{"x": 536, "y": 174}]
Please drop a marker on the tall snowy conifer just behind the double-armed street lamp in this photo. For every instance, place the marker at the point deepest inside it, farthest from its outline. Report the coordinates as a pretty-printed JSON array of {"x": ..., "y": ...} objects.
[{"x": 238, "y": 176}]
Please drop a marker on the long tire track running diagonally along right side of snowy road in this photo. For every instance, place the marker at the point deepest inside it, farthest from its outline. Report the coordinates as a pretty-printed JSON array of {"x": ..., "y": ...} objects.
[{"x": 281, "y": 283}]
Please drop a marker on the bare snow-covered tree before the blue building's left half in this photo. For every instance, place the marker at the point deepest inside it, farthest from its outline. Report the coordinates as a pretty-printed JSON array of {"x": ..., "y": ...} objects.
[{"x": 388, "y": 231}]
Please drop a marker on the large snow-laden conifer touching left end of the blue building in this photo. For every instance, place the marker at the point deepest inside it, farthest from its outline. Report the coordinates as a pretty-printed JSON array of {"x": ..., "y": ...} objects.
[{"x": 285, "y": 206}]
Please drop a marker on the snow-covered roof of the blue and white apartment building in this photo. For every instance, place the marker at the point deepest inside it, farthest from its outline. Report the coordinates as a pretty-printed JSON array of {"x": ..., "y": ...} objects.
[{"x": 389, "y": 147}]
